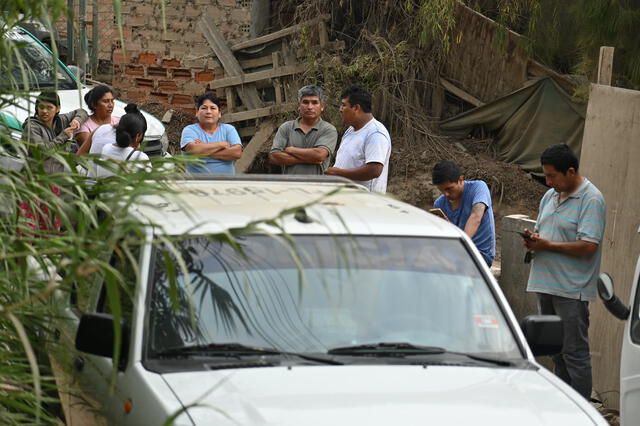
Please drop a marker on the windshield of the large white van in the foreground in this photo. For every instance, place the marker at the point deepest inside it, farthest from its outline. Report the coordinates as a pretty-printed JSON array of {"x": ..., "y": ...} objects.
[{"x": 325, "y": 292}]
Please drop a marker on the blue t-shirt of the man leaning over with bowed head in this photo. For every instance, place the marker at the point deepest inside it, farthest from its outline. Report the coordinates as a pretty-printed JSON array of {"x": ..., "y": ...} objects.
[{"x": 475, "y": 191}]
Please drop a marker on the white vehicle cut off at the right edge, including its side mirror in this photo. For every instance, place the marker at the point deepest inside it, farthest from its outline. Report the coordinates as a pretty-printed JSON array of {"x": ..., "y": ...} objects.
[{"x": 630, "y": 357}]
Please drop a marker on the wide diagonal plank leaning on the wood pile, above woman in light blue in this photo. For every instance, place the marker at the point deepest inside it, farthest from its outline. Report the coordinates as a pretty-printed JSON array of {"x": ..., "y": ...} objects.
[{"x": 248, "y": 94}]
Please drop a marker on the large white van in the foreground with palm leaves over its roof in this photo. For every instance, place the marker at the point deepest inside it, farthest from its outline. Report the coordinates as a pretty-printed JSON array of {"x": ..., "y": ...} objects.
[{"x": 355, "y": 309}]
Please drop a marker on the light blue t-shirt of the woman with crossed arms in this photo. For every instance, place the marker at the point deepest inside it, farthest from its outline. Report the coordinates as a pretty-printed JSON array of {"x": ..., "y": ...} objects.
[{"x": 224, "y": 132}]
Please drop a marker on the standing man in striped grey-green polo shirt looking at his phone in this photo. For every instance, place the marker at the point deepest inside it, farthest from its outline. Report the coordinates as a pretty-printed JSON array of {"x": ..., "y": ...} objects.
[{"x": 567, "y": 243}]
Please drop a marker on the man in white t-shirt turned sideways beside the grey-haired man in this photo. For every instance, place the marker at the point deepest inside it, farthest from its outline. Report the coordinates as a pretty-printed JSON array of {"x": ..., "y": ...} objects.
[{"x": 365, "y": 147}]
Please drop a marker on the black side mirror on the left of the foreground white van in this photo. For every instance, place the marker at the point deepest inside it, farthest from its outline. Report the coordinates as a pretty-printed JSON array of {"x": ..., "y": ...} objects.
[{"x": 96, "y": 336}]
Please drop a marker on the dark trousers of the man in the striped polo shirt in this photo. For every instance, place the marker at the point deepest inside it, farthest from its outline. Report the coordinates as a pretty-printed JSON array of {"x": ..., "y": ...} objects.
[{"x": 573, "y": 365}]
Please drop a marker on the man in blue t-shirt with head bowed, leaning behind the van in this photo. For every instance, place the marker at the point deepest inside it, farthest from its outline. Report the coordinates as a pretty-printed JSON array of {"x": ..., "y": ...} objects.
[{"x": 467, "y": 205}]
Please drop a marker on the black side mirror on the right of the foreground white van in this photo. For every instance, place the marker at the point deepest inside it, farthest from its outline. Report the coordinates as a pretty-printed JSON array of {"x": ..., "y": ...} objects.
[{"x": 543, "y": 333}]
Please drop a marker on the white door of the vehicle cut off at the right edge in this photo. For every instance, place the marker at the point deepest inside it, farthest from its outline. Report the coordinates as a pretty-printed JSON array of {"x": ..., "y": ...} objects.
[{"x": 630, "y": 362}]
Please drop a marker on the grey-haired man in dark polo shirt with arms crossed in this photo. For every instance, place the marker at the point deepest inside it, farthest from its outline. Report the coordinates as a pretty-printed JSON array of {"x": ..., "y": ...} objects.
[{"x": 304, "y": 146}]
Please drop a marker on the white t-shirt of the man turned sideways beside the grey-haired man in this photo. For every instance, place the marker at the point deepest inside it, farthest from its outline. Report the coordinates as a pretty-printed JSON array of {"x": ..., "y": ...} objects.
[{"x": 370, "y": 144}]
